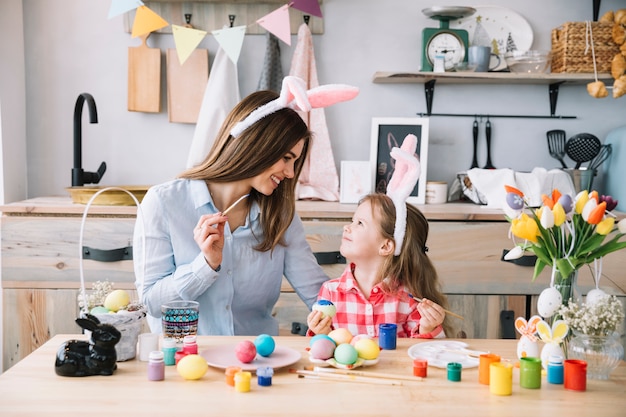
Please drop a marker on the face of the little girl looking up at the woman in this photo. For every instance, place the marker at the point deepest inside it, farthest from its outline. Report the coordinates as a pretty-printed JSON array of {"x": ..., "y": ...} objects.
[{"x": 362, "y": 238}]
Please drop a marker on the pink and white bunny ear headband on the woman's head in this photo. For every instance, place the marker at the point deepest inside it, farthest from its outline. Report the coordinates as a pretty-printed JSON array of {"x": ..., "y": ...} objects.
[{"x": 294, "y": 95}]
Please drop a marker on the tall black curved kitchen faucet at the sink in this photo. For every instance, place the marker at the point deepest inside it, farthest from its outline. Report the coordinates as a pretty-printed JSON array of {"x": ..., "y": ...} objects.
[{"x": 79, "y": 177}]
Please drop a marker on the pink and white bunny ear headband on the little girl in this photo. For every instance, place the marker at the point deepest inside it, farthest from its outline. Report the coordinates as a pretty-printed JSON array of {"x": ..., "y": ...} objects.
[{"x": 402, "y": 182}]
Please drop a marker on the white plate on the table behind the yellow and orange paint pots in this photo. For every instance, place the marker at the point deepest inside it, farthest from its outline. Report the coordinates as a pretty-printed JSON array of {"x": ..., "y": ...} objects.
[{"x": 440, "y": 353}]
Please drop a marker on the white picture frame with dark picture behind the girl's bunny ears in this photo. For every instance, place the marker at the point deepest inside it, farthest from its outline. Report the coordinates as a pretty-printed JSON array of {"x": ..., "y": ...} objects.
[{"x": 389, "y": 132}]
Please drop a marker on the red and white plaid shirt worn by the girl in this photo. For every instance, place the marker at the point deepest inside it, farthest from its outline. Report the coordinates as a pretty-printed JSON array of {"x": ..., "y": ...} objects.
[{"x": 362, "y": 316}]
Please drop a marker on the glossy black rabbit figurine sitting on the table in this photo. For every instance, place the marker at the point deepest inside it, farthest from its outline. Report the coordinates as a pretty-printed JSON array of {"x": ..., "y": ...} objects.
[{"x": 94, "y": 357}]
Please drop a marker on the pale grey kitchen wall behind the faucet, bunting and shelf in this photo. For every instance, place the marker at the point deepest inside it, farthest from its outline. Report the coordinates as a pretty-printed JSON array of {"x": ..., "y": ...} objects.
[{"x": 71, "y": 47}]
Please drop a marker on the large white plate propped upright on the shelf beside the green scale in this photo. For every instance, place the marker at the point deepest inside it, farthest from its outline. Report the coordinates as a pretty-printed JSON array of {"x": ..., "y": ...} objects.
[{"x": 497, "y": 25}]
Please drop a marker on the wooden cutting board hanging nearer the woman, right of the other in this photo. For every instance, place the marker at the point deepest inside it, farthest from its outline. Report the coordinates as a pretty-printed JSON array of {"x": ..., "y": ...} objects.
[{"x": 186, "y": 85}]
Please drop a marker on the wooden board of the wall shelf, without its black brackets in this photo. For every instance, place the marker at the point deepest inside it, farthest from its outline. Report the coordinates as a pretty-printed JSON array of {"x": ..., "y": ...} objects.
[{"x": 382, "y": 77}]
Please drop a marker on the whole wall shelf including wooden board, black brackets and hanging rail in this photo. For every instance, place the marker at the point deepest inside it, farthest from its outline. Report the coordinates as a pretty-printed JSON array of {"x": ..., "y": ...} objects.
[{"x": 429, "y": 79}]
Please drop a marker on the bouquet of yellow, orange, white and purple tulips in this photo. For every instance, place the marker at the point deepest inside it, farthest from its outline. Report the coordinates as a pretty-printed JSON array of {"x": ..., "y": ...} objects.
[{"x": 565, "y": 233}]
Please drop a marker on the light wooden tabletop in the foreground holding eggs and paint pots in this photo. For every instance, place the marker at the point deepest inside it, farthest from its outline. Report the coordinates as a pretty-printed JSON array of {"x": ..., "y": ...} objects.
[{"x": 31, "y": 387}]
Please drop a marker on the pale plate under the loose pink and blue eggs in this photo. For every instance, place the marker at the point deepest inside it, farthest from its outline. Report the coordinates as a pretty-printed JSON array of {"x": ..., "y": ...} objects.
[{"x": 223, "y": 356}]
